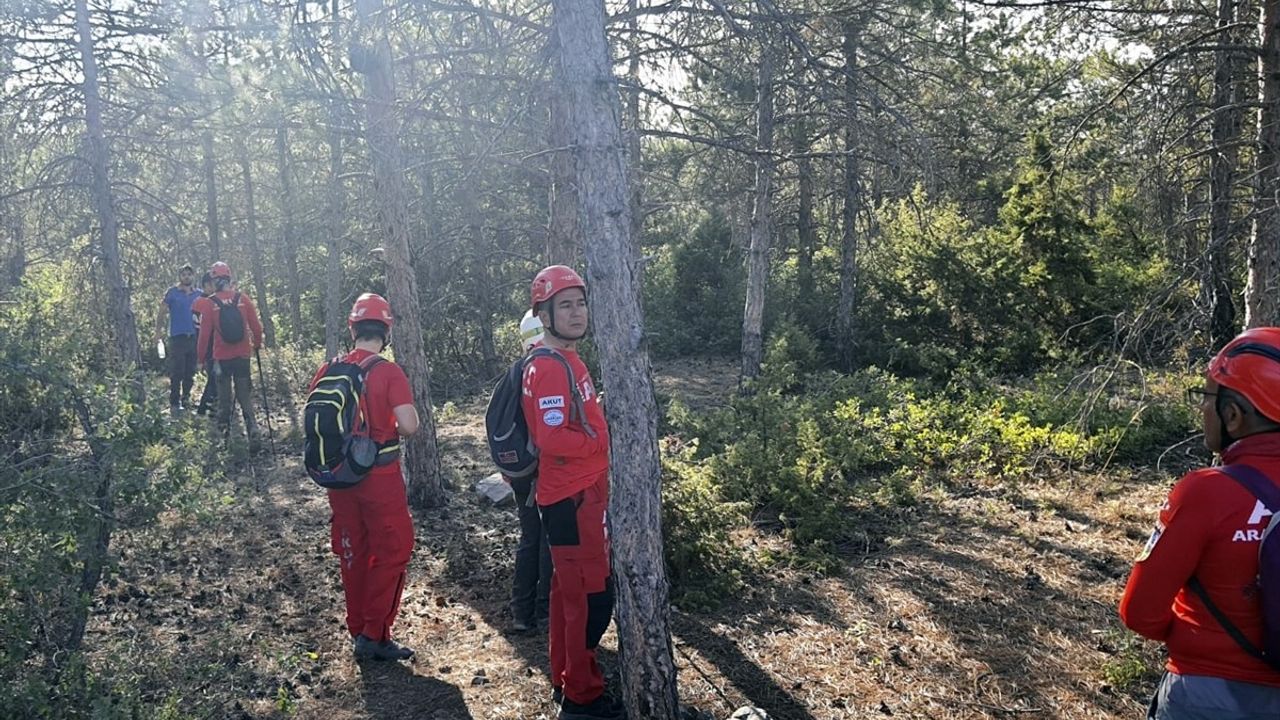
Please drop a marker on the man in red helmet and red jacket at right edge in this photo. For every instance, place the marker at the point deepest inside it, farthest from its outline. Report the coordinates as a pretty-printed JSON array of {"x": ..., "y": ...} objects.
[{"x": 1205, "y": 550}]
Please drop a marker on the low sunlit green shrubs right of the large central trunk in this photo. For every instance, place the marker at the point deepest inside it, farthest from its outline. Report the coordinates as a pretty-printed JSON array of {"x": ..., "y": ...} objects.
[{"x": 815, "y": 454}]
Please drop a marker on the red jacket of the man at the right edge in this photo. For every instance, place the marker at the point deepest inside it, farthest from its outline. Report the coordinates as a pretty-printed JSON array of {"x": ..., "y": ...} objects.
[{"x": 1208, "y": 528}]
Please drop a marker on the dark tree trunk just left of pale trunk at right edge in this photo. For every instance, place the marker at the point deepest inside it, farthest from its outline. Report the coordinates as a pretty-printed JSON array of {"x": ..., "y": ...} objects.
[{"x": 1215, "y": 275}]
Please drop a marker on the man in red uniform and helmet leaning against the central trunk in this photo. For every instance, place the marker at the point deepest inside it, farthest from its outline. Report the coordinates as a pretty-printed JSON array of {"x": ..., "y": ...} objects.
[{"x": 566, "y": 425}]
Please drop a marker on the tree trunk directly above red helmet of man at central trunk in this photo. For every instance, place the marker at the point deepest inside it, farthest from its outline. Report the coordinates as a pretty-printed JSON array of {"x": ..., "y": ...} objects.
[{"x": 564, "y": 236}]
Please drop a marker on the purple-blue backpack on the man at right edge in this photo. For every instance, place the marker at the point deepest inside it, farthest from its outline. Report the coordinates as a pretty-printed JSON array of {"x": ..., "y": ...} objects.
[{"x": 1269, "y": 571}]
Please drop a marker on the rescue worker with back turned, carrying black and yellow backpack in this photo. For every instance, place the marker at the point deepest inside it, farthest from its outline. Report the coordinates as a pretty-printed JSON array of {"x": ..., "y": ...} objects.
[{"x": 372, "y": 530}]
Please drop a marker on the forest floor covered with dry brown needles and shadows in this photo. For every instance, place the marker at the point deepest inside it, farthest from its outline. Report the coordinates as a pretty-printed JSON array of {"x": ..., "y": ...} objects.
[{"x": 973, "y": 603}]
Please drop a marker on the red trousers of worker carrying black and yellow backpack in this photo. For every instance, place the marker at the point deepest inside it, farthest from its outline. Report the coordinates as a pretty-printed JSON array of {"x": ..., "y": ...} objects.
[{"x": 373, "y": 536}]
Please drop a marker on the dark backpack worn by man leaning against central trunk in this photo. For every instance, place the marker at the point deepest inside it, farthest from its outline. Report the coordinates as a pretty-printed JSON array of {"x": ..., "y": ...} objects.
[{"x": 506, "y": 429}]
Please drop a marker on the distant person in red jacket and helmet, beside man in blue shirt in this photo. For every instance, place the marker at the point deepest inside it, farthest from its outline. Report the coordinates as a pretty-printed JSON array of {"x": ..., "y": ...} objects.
[{"x": 231, "y": 361}]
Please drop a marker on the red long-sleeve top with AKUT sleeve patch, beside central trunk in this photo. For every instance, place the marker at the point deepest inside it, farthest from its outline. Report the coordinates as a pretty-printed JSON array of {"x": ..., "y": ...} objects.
[{"x": 570, "y": 461}]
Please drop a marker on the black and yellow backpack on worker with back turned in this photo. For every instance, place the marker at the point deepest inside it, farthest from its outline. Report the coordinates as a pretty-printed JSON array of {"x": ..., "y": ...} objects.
[{"x": 337, "y": 450}]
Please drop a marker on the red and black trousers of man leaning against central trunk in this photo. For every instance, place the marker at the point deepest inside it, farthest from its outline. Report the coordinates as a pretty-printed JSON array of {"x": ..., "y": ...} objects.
[{"x": 582, "y": 603}]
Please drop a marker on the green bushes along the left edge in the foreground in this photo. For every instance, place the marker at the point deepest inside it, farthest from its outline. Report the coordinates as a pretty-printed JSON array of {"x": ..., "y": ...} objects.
[{"x": 68, "y": 430}]
